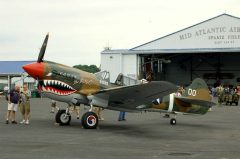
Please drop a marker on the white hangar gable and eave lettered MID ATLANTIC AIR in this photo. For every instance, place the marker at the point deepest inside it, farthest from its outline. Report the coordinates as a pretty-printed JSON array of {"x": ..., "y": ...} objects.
[{"x": 218, "y": 34}]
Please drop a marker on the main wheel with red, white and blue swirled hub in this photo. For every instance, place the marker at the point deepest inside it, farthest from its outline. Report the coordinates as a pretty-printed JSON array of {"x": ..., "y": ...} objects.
[{"x": 90, "y": 120}]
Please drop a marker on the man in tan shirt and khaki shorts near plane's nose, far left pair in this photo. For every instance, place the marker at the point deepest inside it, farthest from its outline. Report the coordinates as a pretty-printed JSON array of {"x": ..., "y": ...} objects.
[{"x": 25, "y": 105}]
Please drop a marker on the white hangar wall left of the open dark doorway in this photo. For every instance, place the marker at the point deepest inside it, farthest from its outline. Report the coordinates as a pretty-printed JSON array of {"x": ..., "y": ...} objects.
[{"x": 117, "y": 63}]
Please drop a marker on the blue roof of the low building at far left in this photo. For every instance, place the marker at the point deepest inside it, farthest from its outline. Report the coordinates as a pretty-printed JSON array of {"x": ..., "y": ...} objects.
[{"x": 13, "y": 68}]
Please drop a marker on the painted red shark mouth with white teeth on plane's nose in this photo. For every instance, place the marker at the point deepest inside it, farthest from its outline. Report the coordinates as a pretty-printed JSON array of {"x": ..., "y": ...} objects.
[{"x": 56, "y": 87}]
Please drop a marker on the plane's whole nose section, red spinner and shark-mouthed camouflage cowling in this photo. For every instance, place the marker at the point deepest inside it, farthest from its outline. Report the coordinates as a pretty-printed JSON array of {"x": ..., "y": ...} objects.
[{"x": 63, "y": 83}]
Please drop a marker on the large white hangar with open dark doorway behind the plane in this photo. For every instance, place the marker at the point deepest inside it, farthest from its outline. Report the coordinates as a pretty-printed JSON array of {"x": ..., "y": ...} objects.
[{"x": 209, "y": 50}]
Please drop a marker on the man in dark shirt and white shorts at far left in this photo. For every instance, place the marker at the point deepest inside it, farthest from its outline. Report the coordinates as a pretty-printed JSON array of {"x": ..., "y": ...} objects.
[{"x": 13, "y": 102}]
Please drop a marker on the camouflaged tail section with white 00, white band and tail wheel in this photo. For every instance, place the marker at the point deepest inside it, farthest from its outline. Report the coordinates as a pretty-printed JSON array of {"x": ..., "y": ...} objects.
[{"x": 196, "y": 99}]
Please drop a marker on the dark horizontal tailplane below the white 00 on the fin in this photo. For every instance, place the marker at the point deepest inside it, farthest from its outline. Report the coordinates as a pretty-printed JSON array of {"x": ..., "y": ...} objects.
[{"x": 196, "y": 101}]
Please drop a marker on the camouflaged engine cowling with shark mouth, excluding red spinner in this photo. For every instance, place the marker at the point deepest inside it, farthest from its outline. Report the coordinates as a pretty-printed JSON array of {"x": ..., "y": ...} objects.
[{"x": 72, "y": 80}]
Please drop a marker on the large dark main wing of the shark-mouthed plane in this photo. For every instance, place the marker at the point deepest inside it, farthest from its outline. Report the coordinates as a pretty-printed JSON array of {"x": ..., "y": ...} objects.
[{"x": 129, "y": 97}]
